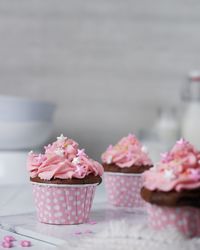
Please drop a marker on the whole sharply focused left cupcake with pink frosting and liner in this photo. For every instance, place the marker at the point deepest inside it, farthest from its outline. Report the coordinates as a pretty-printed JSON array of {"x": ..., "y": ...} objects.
[{"x": 64, "y": 180}]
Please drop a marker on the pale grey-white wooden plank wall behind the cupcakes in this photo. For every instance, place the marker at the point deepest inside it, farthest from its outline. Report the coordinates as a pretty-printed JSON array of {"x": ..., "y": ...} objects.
[{"x": 108, "y": 64}]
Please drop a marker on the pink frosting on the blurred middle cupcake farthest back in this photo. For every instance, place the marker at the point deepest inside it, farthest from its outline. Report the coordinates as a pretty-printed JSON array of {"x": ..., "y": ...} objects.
[{"x": 127, "y": 152}]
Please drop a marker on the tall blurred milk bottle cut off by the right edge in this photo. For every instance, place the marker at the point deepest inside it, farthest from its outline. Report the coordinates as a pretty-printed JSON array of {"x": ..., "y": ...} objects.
[{"x": 191, "y": 115}]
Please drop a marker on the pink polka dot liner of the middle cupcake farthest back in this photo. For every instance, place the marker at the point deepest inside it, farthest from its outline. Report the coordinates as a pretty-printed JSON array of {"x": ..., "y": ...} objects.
[{"x": 123, "y": 190}]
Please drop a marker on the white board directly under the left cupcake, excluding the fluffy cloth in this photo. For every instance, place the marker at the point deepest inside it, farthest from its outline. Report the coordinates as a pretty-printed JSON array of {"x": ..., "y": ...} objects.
[{"x": 56, "y": 235}]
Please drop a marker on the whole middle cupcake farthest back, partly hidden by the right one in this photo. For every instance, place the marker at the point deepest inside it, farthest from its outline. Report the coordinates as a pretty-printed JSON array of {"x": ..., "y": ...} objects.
[{"x": 123, "y": 164}]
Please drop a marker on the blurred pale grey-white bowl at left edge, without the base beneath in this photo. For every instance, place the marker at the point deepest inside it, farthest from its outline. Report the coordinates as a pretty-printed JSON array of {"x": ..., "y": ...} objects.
[{"x": 24, "y": 123}]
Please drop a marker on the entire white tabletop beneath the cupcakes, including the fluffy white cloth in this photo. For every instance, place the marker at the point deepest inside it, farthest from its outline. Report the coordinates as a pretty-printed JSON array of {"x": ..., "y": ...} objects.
[{"x": 113, "y": 226}]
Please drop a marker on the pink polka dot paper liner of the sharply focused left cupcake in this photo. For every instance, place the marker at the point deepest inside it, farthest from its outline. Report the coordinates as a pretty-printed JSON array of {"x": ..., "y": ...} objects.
[{"x": 63, "y": 204}]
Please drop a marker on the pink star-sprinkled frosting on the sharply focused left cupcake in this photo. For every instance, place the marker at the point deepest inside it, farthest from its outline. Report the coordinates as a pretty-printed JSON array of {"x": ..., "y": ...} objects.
[{"x": 64, "y": 160}]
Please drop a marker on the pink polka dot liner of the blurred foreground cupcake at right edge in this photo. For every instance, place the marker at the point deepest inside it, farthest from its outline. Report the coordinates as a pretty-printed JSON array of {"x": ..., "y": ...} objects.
[{"x": 184, "y": 219}]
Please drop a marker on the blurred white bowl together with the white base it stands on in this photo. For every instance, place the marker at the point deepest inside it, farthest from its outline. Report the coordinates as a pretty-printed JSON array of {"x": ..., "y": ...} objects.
[{"x": 25, "y": 124}]
